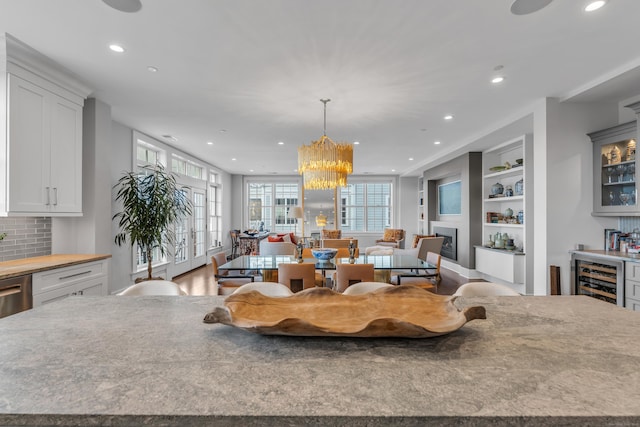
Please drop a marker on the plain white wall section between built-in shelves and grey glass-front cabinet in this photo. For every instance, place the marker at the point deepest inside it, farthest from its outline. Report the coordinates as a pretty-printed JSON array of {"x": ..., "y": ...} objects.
[{"x": 563, "y": 196}]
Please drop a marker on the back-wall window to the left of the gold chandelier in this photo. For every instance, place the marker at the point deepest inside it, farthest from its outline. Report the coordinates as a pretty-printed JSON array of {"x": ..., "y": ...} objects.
[{"x": 269, "y": 203}]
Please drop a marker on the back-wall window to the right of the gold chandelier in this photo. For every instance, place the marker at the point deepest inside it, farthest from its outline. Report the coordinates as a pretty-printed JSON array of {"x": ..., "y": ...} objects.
[{"x": 366, "y": 207}]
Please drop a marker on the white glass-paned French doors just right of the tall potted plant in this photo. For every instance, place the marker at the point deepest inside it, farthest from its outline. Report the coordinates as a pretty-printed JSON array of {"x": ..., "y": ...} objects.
[{"x": 190, "y": 235}]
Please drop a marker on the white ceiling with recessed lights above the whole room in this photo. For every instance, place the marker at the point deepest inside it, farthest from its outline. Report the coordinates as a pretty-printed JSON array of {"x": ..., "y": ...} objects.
[{"x": 247, "y": 74}]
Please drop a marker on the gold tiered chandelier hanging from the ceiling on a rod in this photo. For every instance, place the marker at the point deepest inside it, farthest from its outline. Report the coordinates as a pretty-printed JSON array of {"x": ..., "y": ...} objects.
[{"x": 324, "y": 164}]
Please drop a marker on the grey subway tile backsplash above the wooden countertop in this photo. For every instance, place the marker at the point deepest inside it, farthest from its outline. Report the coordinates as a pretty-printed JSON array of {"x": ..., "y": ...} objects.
[{"x": 26, "y": 237}]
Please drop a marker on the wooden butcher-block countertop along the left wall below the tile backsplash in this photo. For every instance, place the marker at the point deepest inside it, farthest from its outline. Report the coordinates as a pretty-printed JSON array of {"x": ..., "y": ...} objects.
[{"x": 19, "y": 267}]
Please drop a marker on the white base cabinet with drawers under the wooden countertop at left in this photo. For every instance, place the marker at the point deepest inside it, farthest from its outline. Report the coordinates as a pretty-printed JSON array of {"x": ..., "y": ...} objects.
[{"x": 90, "y": 278}]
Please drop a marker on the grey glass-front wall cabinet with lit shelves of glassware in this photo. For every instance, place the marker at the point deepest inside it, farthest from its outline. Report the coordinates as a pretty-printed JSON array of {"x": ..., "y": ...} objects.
[{"x": 615, "y": 184}]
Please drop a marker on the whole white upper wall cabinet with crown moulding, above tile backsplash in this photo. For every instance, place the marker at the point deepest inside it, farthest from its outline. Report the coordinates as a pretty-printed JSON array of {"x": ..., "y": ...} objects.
[{"x": 41, "y": 118}]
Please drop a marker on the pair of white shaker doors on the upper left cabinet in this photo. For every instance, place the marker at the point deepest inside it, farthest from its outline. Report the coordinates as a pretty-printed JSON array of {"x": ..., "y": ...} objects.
[{"x": 45, "y": 156}]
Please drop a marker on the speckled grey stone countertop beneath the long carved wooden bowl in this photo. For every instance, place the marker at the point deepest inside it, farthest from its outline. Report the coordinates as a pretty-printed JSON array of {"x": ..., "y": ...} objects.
[{"x": 562, "y": 360}]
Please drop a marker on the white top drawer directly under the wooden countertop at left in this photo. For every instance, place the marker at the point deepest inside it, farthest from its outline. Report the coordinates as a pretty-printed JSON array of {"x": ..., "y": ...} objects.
[{"x": 53, "y": 279}]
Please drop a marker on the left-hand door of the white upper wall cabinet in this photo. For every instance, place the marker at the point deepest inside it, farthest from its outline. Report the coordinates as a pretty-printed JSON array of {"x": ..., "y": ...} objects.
[{"x": 29, "y": 119}]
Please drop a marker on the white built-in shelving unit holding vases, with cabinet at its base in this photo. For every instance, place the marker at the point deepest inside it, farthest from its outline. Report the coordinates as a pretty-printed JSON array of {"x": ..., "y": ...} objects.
[{"x": 505, "y": 201}]
